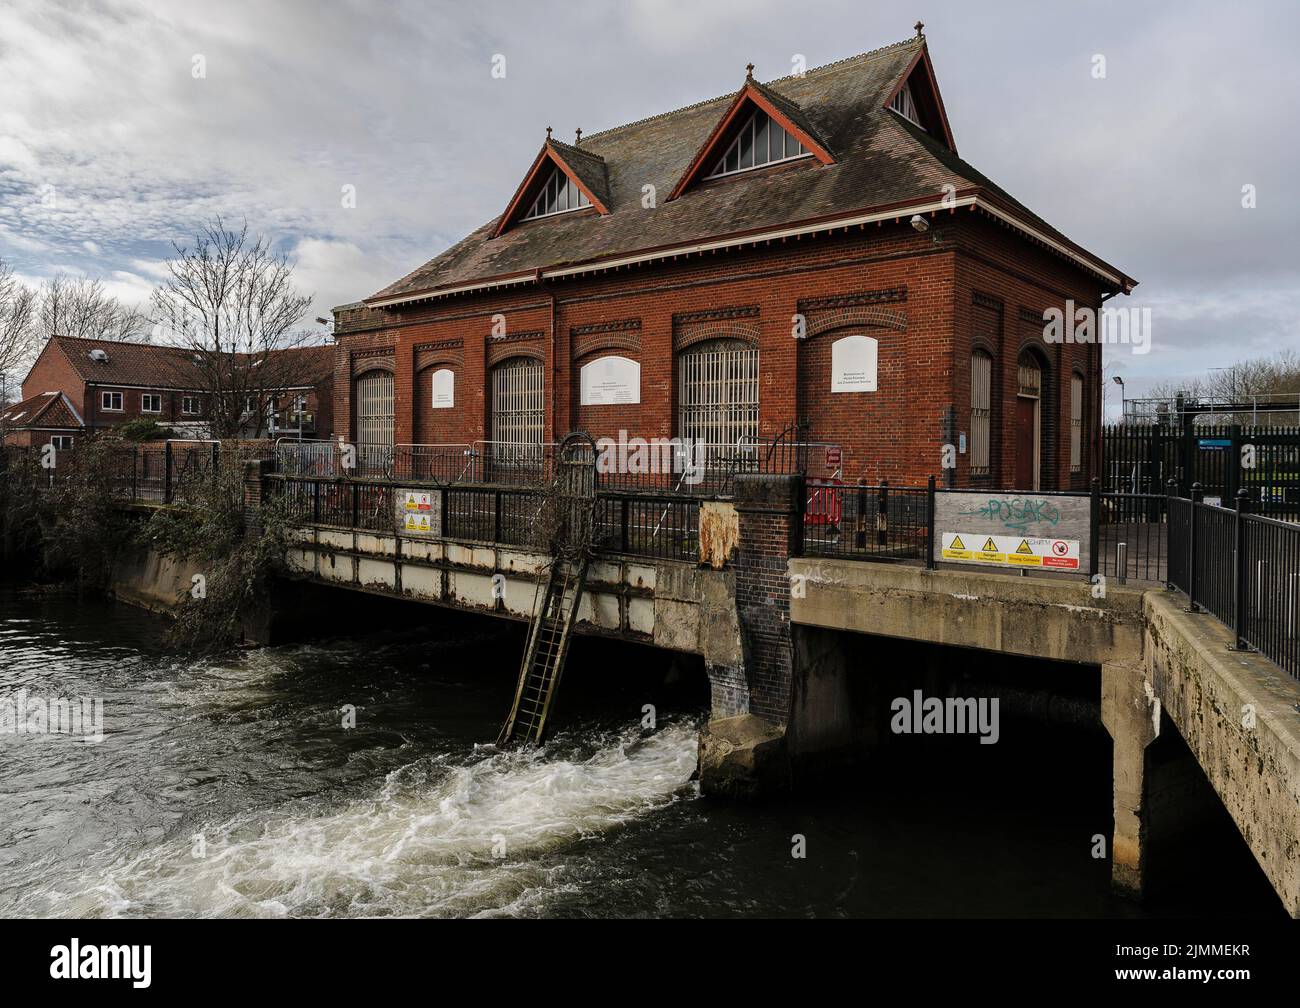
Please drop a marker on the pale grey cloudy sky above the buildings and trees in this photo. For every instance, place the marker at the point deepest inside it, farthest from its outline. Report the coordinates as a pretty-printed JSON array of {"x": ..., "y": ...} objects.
[{"x": 112, "y": 144}]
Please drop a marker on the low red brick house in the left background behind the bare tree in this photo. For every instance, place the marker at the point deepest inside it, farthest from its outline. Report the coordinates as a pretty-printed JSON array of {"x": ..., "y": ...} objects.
[{"x": 105, "y": 383}]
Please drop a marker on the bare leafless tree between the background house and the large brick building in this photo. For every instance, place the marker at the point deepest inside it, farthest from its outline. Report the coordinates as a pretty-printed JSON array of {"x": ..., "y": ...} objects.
[{"x": 231, "y": 305}]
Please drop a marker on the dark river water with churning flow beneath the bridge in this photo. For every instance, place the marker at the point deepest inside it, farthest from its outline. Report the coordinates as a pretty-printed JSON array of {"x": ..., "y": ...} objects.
[{"x": 231, "y": 788}]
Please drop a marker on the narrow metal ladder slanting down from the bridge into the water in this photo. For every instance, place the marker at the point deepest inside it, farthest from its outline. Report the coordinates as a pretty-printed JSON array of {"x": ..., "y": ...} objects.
[{"x": 544, "y": 657}]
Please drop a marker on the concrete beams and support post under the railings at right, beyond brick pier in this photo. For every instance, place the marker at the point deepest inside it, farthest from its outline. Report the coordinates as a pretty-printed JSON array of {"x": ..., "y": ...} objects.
[{"x": 1162, "y": 669}]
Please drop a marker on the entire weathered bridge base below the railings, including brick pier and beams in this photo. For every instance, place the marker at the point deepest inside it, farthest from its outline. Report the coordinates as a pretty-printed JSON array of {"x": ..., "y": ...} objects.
[{"x": 792, "y": 696}]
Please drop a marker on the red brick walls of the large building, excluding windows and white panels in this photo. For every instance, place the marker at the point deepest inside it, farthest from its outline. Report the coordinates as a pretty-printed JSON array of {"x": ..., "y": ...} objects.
[{"x": 898, "y": 432}]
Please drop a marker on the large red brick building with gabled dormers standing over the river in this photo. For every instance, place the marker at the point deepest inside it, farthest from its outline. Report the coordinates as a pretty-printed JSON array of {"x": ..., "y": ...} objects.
[{"x": 811, "y": 250}]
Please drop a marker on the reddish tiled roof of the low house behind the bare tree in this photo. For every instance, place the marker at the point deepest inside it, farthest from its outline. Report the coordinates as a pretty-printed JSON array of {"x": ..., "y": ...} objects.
[{"x": 161, "y": 366}]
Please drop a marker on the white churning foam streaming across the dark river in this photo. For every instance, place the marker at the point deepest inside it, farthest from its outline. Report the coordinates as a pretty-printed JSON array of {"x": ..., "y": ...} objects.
[{"x": 423, "y": 846}]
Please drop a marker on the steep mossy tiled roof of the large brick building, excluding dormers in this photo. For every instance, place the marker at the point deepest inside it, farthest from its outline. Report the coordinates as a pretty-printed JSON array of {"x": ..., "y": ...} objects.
[{"x": 881, "y": 159}]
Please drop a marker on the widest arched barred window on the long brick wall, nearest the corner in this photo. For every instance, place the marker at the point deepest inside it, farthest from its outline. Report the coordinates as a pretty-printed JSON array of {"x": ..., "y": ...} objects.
[{"x": 718, "y": 393}]
